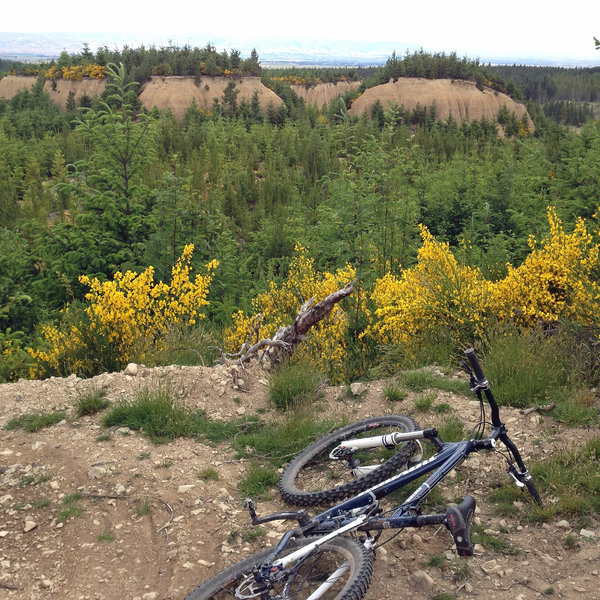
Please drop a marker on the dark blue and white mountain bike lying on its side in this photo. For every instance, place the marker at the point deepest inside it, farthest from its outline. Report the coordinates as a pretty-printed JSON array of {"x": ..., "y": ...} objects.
[{"x": 330, "y": 555}]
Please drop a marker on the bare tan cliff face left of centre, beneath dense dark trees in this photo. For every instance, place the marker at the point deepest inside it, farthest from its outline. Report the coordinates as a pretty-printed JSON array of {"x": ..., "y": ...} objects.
[{"x": 177, "y": 93}]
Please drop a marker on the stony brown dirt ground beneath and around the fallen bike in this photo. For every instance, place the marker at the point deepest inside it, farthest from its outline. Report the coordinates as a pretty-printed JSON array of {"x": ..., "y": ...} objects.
[{"x": 117, "y": 549}]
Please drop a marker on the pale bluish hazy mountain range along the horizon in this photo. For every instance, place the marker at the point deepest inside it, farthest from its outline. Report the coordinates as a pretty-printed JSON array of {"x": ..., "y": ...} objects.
[{"x": 35, "y": 47}]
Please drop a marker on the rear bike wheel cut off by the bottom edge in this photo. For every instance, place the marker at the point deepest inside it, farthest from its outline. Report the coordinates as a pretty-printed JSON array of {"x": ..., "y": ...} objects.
[{"x": 341, "y": 569}]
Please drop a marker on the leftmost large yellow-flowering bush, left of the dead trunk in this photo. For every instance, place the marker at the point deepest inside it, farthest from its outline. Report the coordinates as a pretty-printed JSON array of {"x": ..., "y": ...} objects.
[{"x": 128, "y": 315}]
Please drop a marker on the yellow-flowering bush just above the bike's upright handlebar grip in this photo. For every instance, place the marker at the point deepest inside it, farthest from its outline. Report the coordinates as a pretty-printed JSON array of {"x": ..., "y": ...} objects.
[{"x": 436, "y": 293}]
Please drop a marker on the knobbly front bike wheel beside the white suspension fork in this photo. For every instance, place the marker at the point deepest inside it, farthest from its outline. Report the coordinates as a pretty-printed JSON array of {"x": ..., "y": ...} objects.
[{"x": 314, "y": 478}]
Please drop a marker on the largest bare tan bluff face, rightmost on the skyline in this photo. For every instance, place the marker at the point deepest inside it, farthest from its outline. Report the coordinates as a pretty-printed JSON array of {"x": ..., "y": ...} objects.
[{"x": 458, "y": 98}]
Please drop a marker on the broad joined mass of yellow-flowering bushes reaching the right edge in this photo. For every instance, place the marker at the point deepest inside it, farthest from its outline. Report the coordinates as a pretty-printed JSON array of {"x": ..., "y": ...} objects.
[{"x": 557, "y": 280}]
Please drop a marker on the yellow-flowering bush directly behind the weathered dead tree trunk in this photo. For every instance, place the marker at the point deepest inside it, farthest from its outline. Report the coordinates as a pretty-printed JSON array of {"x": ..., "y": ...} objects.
[{"x": 279, "y": 307}]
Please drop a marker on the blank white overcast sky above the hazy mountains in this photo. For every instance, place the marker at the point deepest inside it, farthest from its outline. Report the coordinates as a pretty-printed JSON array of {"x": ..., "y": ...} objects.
[{"x": 472, "y": 27}]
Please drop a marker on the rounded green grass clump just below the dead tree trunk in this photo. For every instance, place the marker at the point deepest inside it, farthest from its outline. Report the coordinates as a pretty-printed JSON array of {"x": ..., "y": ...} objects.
[{"x": 294, "y": 385}]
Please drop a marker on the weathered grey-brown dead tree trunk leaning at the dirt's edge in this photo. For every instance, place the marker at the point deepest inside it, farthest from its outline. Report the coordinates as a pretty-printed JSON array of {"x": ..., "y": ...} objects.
[{"x": 287, "y": 338}]
